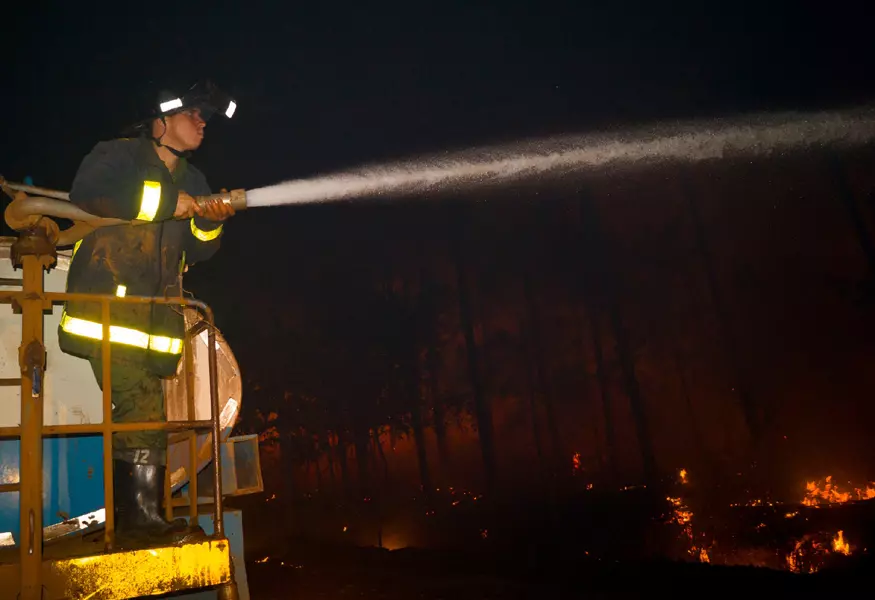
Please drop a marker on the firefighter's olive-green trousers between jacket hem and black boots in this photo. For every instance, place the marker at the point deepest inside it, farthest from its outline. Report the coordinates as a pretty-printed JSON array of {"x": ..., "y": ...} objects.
[{"x": 137, "y": 396}]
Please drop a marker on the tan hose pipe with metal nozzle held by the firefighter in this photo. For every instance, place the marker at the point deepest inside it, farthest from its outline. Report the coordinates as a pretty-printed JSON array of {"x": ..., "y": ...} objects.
[{"x": 31, "y": 211}]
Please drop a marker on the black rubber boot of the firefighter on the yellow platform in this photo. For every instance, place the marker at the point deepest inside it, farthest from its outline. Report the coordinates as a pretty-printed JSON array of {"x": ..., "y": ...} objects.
[{"x": 139, "y": 491}]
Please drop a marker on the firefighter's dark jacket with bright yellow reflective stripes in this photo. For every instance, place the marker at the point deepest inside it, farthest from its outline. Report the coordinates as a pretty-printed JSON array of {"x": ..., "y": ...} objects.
[{"x": 126, "y": 179}]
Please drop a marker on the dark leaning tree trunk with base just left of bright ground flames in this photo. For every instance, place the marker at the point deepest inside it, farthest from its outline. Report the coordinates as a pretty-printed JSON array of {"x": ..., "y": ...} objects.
[{"x": 606, "y": 282}]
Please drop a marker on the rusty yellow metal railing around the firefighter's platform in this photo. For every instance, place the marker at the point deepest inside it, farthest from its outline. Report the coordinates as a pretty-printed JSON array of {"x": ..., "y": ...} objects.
[{"x": 33, "y": 300}]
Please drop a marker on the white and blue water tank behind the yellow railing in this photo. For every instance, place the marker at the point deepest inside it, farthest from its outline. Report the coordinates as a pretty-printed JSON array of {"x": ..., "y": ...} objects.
[{"x": 73, "y": 466}]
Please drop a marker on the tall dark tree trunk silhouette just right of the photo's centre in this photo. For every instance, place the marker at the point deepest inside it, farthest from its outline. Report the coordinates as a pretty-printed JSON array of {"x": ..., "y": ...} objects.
[{"x": 482, "y": 407}]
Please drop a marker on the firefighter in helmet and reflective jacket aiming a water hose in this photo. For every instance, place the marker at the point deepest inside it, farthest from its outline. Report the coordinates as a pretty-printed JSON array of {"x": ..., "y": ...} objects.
[{"x": 147, "y": 178}]
